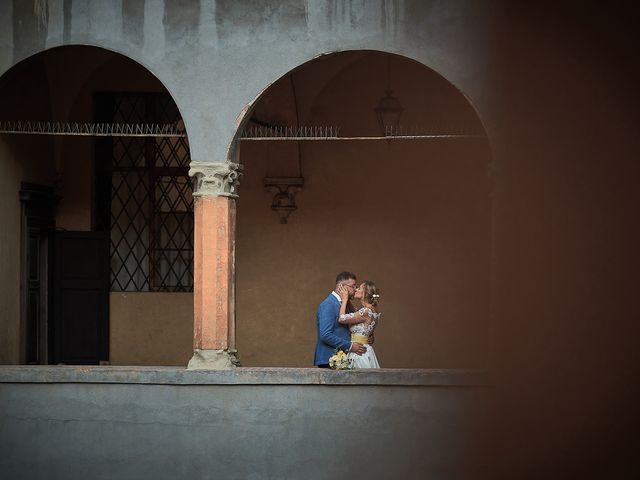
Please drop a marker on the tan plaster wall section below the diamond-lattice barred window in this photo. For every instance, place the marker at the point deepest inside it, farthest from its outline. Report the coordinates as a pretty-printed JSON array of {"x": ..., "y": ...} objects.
[{"x": 150, "y": 328}]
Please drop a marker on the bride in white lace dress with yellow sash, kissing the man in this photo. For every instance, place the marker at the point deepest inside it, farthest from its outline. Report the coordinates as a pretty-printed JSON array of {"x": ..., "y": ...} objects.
[{"x": 361, "y": 323}]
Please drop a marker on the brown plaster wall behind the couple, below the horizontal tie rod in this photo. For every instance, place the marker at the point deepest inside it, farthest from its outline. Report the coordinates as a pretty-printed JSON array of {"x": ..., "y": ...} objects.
[{"x": 429, "y": 254}]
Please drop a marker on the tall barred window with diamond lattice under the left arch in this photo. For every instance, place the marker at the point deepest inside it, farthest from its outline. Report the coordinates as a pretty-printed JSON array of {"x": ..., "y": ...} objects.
[{"x": 144, "y": 197}]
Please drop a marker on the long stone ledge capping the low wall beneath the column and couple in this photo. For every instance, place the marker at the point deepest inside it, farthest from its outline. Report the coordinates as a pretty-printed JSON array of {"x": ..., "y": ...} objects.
[{"x": 241, "y": 376}]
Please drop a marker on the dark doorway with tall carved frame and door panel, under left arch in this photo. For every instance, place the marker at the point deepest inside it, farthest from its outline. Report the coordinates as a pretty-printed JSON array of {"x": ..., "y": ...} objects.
[{"x": 65, "y": 287}]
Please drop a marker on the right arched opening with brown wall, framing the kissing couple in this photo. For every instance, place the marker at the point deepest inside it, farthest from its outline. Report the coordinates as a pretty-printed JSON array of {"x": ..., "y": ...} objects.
[{"x": 412, "y": 213}]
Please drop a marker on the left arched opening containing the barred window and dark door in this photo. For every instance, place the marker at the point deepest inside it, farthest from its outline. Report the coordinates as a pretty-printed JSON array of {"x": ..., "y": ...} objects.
[{"x": 97, "y": 237}]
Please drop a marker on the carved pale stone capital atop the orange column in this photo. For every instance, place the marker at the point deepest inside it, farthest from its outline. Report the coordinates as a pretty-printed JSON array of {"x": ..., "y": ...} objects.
[{"x": 219, "y": 179}]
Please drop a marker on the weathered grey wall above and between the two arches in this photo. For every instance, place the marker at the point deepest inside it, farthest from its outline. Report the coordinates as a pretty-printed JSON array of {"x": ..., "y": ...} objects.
[{"x": 205, "y": 51}]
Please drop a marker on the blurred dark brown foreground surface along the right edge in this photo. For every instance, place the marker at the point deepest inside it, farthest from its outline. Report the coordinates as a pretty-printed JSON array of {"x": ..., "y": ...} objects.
[{"x": 565, "y": 356}]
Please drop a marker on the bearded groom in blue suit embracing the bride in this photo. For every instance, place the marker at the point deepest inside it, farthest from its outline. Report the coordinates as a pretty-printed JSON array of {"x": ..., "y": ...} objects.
[{"x": 331, "y": 334}]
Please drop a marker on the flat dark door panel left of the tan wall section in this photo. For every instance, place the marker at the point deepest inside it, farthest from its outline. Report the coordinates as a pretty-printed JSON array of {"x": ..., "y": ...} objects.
[{"x": 79, "y": 327}]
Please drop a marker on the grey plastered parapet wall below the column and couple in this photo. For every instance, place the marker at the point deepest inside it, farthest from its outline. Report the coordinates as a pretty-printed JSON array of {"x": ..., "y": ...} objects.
[{"x": 167, "y": 424}]
